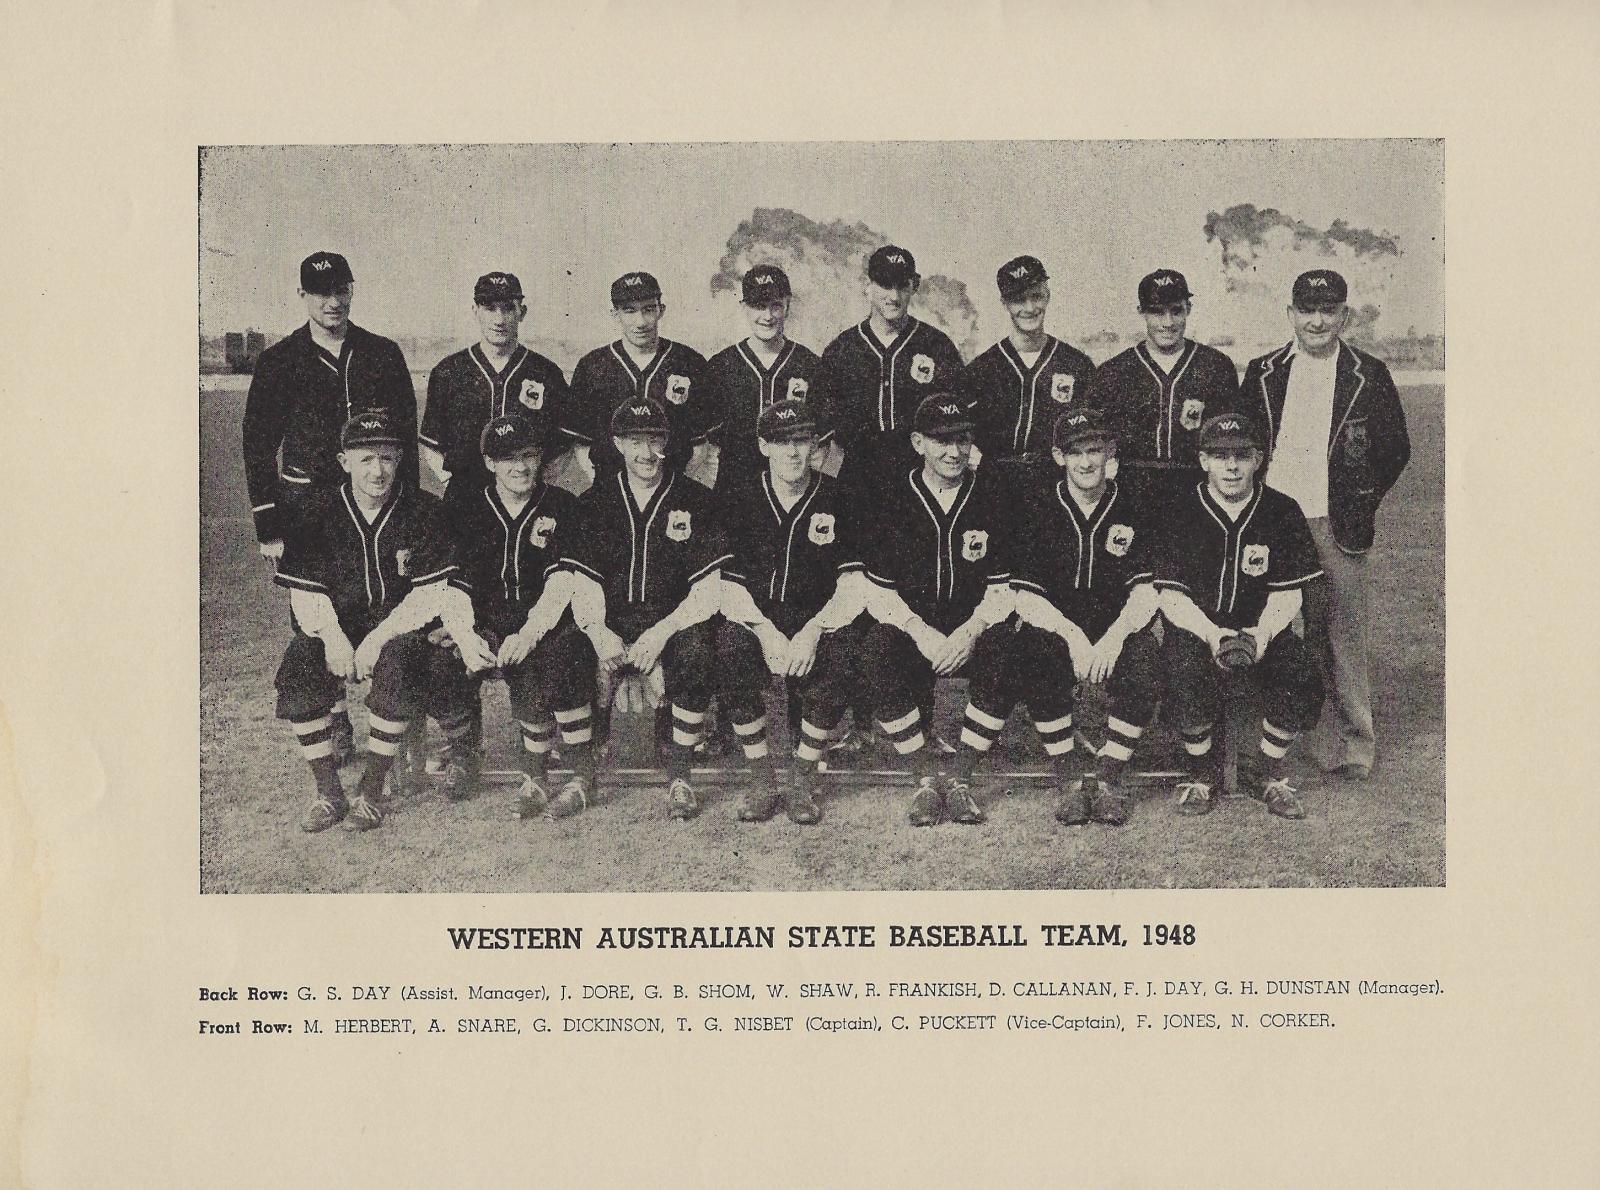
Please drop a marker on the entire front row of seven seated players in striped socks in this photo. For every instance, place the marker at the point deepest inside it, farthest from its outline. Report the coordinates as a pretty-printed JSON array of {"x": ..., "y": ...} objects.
[{"x": 646, "y": 580}]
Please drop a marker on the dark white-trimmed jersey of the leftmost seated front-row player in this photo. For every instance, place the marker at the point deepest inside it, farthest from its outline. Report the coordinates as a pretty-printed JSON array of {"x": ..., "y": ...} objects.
[{"x": 367, "y": 569}]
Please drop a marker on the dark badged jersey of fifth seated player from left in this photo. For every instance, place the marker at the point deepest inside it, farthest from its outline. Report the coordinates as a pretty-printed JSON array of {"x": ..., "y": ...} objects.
[{"x": 940, "y": 562}]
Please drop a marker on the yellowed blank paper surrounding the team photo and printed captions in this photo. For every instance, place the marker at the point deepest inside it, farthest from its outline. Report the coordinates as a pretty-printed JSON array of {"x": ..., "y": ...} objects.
[{"x": 106, "y": 940}]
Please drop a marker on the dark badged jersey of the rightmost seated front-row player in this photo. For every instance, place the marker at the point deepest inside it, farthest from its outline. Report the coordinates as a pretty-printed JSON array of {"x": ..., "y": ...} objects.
[{"x": 1231, "y": 567}]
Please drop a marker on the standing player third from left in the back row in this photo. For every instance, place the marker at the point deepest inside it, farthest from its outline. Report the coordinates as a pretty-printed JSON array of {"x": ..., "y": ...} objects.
[{"x": 639, "y": 367}]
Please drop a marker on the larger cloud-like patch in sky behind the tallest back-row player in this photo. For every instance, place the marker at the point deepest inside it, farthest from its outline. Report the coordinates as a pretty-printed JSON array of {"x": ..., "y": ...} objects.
[{"x": 826, "y": 263}]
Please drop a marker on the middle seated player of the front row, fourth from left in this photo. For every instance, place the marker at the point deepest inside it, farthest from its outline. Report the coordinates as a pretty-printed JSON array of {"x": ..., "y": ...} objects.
[{"x": 786, "y": 609}]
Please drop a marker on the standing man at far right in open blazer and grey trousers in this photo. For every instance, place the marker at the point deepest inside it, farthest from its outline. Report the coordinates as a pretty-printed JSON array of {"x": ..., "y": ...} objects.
[{"x": 1338, "y": 442}]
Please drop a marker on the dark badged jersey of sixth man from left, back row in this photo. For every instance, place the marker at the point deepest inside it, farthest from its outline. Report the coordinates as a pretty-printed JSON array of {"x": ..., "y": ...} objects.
[{"x": 1017, "y": 405}]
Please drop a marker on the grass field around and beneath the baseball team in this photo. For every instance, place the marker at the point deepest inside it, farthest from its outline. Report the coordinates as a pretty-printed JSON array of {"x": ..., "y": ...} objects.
[{"x": 1385, "y": 833}]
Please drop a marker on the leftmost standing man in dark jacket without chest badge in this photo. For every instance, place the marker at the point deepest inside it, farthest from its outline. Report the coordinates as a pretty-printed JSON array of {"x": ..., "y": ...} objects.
[{"x": 306, "y": 388}]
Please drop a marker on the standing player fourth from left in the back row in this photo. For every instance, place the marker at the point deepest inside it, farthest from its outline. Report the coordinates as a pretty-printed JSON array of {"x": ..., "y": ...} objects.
[{"x": 750, "y": 377}]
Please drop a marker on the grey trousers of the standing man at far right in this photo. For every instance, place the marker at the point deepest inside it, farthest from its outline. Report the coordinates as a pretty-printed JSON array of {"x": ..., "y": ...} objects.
[{"x": 1338, "y": 626}]
